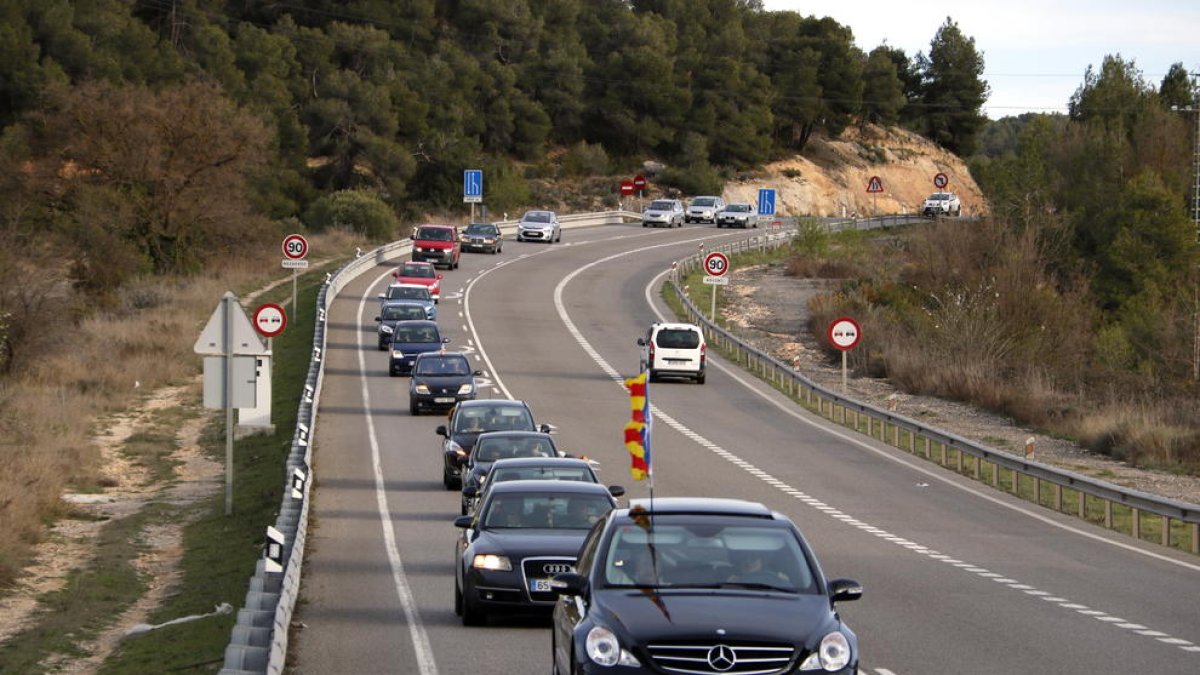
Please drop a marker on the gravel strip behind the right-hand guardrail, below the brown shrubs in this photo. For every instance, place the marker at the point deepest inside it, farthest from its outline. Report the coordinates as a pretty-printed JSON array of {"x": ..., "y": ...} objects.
[{"x": 771, "y": 313}]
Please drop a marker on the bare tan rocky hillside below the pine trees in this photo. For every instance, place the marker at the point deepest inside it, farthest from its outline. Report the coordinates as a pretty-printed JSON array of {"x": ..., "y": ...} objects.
[{"x": 832, "y": 176}]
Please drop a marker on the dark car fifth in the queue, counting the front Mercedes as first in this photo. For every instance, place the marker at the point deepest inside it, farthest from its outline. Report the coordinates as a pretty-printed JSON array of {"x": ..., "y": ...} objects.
[{"x": 469, "y": 420}]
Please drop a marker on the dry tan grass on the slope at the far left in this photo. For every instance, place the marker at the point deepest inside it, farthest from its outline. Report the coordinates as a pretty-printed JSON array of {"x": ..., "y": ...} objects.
[{"x": 52, "y": 410}]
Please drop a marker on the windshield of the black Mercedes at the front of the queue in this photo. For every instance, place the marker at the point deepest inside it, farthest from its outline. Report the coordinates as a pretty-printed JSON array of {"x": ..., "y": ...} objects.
[{"x": 680, "y": 552}]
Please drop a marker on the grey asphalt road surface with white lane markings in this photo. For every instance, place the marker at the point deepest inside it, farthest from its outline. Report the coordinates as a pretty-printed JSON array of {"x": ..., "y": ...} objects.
[{"x": 958, "y": 578}]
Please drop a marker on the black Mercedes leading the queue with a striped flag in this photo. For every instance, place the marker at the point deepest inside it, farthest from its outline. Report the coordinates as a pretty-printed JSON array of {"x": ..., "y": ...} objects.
[{"x": 704, "y": 587}]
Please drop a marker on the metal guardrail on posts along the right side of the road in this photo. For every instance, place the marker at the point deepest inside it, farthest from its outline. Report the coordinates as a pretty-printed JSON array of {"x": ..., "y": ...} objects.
[{"x": 879, "y": 423}]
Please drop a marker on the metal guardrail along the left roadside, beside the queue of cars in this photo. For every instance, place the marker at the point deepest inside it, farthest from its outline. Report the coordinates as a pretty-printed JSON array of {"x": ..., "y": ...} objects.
[{"x": 260, "y": 640}]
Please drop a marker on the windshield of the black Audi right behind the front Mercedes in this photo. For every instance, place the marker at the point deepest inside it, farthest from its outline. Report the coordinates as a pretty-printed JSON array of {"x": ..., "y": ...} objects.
[{"x": 556, "y": 511}]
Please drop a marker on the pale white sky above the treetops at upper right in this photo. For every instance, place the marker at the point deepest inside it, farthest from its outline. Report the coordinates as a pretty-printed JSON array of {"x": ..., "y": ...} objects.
[{"x": 1035, "y": 52}]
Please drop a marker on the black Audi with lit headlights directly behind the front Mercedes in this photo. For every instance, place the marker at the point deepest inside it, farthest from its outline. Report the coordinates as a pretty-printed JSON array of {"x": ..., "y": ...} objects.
[{"x": 524, "y": 535}]
